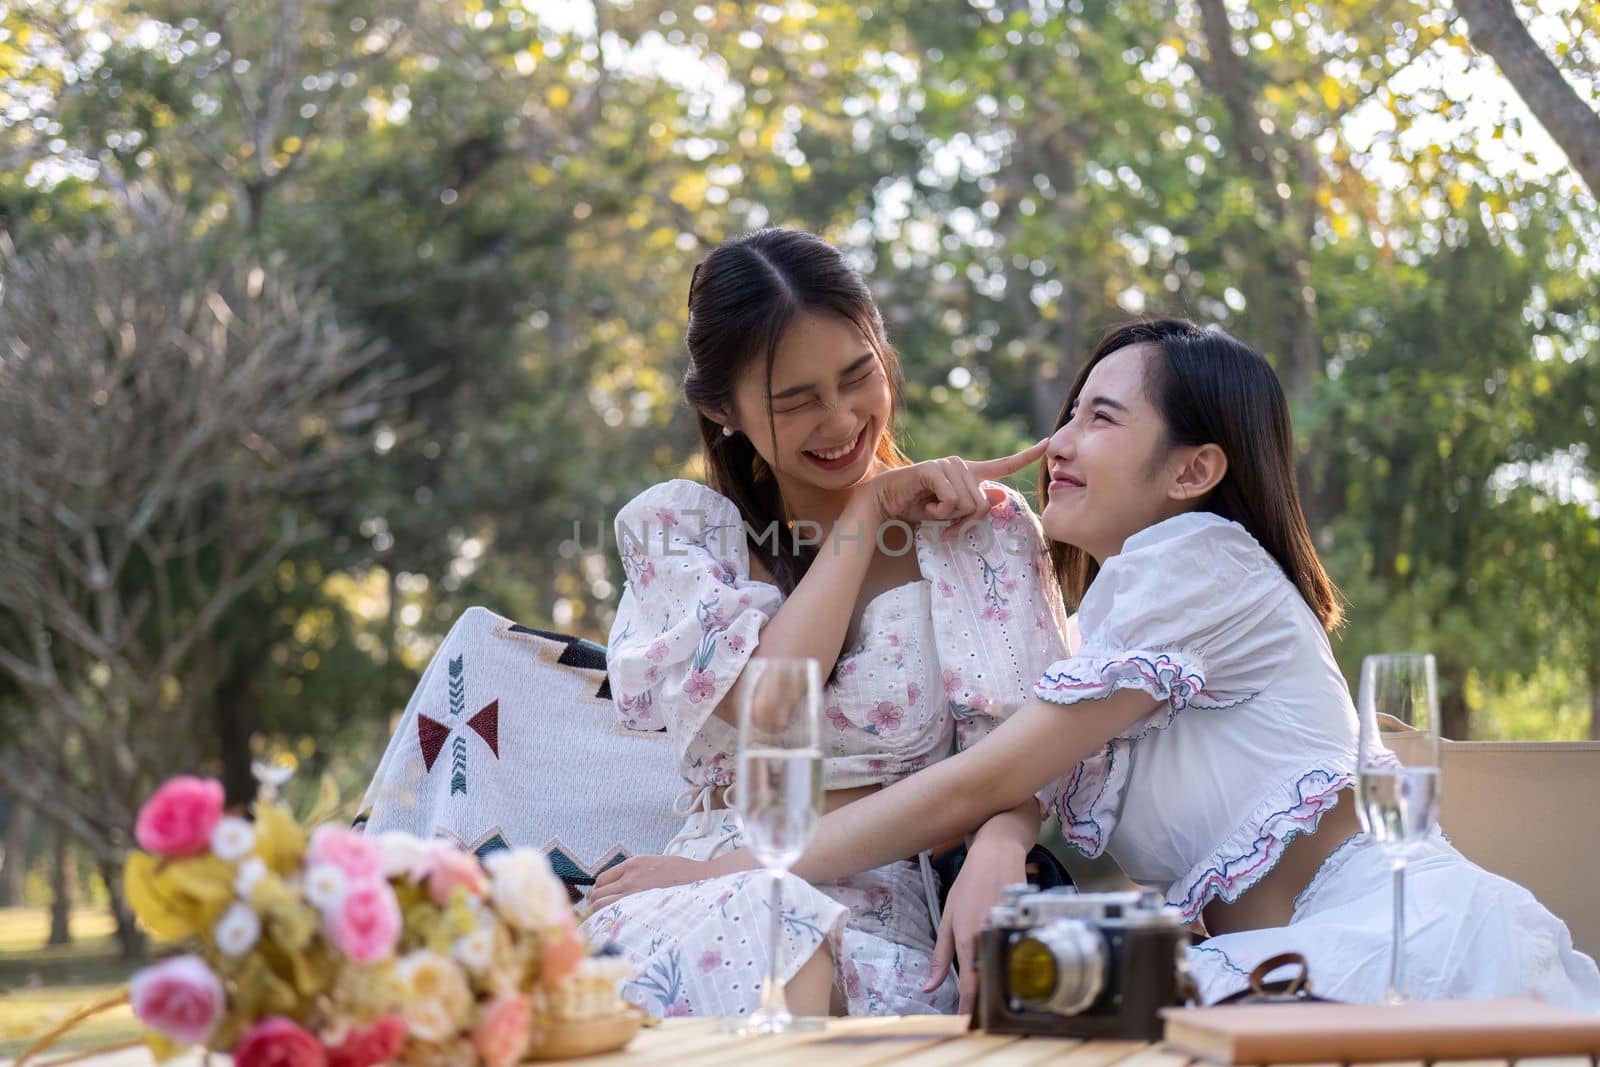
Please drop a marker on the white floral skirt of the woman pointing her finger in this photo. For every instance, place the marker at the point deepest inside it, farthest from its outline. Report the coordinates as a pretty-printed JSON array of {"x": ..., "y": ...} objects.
[{"x": 702, "y": 949}]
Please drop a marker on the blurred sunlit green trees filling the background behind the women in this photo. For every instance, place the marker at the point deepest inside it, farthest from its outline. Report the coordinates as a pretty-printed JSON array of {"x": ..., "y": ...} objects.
[{"x": 513, "y": 199}]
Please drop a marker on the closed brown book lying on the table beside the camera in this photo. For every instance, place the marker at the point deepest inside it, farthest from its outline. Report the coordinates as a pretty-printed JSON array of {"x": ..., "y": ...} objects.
[{"x": 1316, "y": 1033}]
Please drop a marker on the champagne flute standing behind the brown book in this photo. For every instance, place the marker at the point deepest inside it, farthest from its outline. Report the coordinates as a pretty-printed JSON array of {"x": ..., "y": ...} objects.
[{"x": 1399, "y": 789}]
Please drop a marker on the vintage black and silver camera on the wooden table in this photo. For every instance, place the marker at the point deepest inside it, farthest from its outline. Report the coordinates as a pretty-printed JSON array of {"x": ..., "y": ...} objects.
[{"x": 1086, "y": 965}]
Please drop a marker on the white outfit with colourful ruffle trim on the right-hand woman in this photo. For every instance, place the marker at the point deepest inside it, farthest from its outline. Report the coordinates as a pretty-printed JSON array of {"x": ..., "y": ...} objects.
[{"x": 1254, "y": 741}]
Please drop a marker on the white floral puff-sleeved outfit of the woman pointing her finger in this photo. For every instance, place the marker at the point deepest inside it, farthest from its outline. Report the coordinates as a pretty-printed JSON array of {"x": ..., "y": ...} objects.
[{"x": 938, "y": 663}]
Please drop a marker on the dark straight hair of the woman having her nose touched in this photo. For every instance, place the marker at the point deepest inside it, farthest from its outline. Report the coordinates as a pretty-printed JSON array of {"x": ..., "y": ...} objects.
[{"x": 1214, "y": 390}]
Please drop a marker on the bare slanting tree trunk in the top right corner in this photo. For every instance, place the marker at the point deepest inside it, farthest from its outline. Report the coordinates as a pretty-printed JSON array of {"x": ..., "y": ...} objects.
[{"x": 1497, "y": 31}]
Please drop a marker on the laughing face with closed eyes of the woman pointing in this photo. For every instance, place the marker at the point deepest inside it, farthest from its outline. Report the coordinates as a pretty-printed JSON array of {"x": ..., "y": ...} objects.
[{"x": 831, "y": 406}]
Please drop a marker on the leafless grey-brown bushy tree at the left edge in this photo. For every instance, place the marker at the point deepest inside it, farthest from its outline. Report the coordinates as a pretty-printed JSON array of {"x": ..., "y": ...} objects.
[{"x": 169, "y": 423}]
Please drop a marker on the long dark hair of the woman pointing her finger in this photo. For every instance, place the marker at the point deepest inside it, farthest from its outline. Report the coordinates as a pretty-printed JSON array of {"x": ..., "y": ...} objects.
[{"x": 743, "y": 297}]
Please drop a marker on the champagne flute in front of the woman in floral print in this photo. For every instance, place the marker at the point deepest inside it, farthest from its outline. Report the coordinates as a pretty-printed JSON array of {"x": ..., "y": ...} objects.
[{"x": 780, "y": 797}]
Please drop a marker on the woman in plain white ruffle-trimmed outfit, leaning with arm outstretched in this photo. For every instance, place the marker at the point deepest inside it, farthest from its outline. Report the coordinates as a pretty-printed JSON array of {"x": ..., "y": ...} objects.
[{"x": 1202, "y": 732}]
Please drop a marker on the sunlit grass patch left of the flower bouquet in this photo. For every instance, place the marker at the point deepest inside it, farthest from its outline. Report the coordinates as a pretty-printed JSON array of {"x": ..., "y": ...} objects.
[{"x": 41, "y": 986}]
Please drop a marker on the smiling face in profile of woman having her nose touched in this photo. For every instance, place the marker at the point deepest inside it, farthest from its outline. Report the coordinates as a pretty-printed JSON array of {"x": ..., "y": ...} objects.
[{"x": 1110, "y": 463}]
